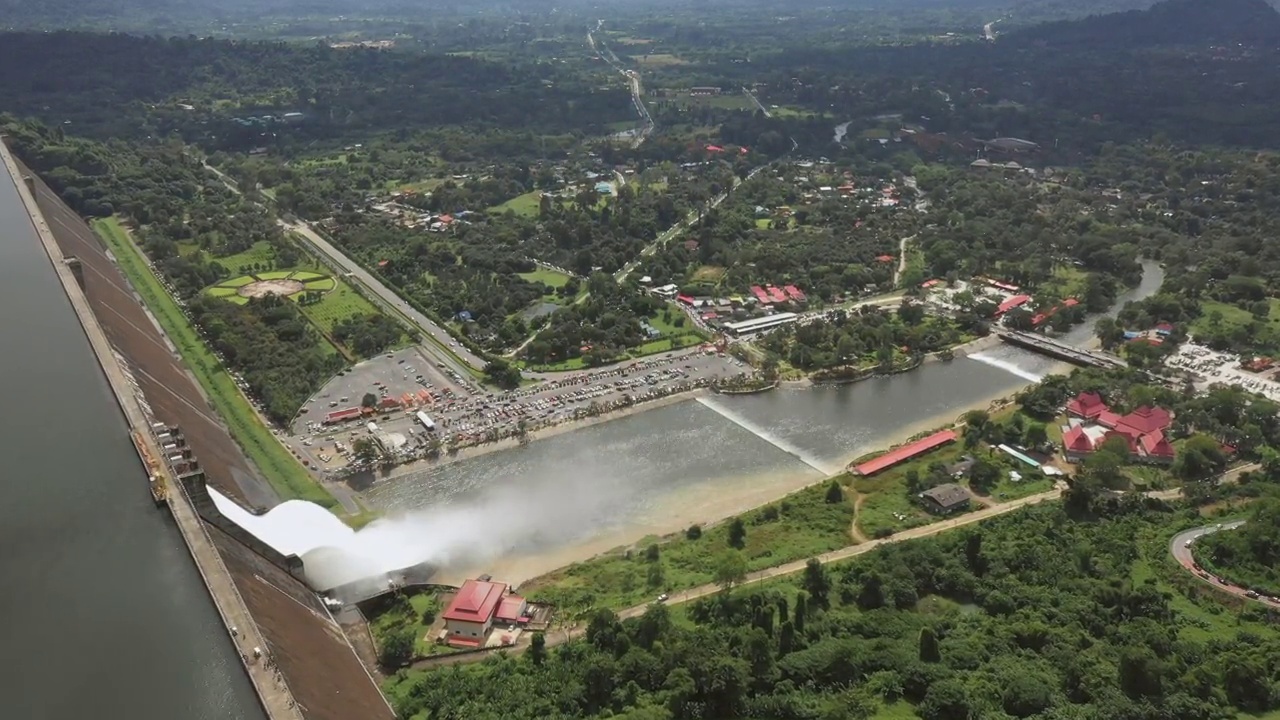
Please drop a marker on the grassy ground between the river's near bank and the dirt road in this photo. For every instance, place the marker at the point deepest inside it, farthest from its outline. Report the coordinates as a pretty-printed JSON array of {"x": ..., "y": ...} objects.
[{"x": 799, "y": 526}]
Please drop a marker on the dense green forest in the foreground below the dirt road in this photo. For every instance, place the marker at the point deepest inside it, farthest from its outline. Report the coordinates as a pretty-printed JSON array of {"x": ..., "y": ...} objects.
[{"x": 1031, "y": 616}]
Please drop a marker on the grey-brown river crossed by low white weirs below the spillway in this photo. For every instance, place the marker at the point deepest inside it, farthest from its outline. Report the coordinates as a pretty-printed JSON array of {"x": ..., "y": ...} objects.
[{"x": 572, "y": 495}]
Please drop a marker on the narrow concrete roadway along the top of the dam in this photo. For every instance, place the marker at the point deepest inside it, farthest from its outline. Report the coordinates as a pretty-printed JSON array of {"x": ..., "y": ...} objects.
[{"x": 275, "y": 695}]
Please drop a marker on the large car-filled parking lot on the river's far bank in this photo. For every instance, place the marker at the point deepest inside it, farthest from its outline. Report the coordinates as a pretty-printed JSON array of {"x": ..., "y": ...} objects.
[{"x": 405, "y": 384}]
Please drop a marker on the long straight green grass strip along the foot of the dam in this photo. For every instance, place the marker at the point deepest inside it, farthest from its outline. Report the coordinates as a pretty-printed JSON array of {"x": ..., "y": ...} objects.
[{"x": 286, "y": 476}]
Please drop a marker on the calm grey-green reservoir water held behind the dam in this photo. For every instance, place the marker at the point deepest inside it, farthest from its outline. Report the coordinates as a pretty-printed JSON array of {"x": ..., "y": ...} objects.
[{"x": 106, "y": 614}]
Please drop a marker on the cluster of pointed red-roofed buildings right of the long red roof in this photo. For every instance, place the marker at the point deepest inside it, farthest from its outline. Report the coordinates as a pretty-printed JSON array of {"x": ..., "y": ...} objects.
[{"x": 1094, "y": 423}]
